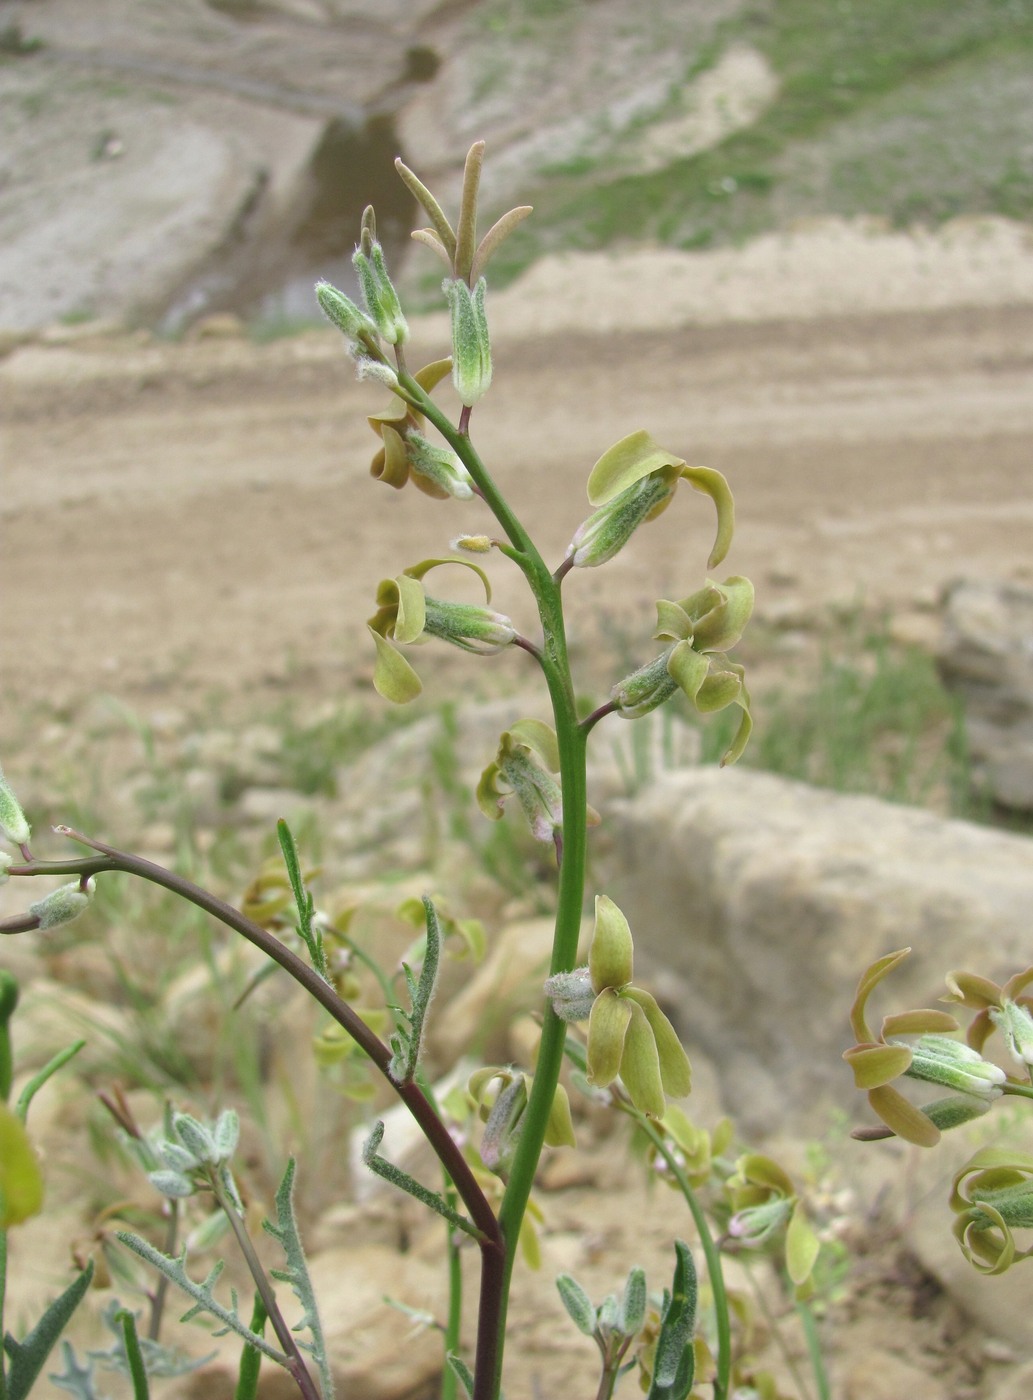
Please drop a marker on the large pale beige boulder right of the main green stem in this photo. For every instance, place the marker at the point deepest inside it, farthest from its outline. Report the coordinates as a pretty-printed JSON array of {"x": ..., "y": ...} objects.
[{"x": 757, "y": 904}]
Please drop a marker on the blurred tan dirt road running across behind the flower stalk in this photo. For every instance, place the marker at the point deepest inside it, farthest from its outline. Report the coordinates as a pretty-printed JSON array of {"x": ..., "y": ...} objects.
[{"x": 178, "y": 519}]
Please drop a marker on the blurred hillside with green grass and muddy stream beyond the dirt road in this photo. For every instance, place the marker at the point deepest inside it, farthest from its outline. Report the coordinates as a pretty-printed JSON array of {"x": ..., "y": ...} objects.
[{"x": 162, "y": 160}]
